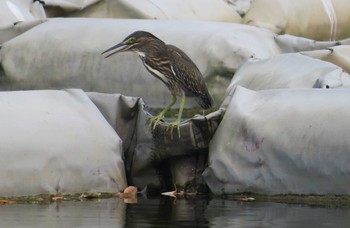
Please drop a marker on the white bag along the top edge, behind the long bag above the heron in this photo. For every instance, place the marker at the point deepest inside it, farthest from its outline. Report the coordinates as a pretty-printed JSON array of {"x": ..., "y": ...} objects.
[{"x": 163, "y": 9}]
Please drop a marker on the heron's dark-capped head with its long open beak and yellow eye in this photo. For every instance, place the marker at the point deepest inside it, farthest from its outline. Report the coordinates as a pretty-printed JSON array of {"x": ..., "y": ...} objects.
[{"x": 138, "y": 41}]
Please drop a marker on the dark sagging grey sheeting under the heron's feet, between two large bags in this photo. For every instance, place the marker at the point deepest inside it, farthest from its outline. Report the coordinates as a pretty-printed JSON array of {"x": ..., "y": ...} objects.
[{"x": 148, "y": 154}]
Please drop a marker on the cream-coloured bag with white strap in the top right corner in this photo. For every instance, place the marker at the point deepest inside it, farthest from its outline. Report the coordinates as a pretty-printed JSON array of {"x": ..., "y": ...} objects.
[{"x": 315, "y": 19}]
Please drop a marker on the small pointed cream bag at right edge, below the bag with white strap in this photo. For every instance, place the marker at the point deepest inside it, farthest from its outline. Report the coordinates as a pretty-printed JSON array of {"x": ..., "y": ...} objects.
[{"x": 339, "y": 55}]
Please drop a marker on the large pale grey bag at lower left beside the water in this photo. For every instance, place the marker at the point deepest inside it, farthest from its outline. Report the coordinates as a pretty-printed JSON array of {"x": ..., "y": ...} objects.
[{"x": 56, "y": 142}]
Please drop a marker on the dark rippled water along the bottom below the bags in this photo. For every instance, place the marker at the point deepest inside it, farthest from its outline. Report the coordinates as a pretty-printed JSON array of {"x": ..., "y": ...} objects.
[{"x": 165, "y": 212}]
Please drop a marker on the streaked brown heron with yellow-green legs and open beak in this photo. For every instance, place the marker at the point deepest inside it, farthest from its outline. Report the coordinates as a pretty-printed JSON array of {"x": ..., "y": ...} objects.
[{"x": 170, "y": 65}]
